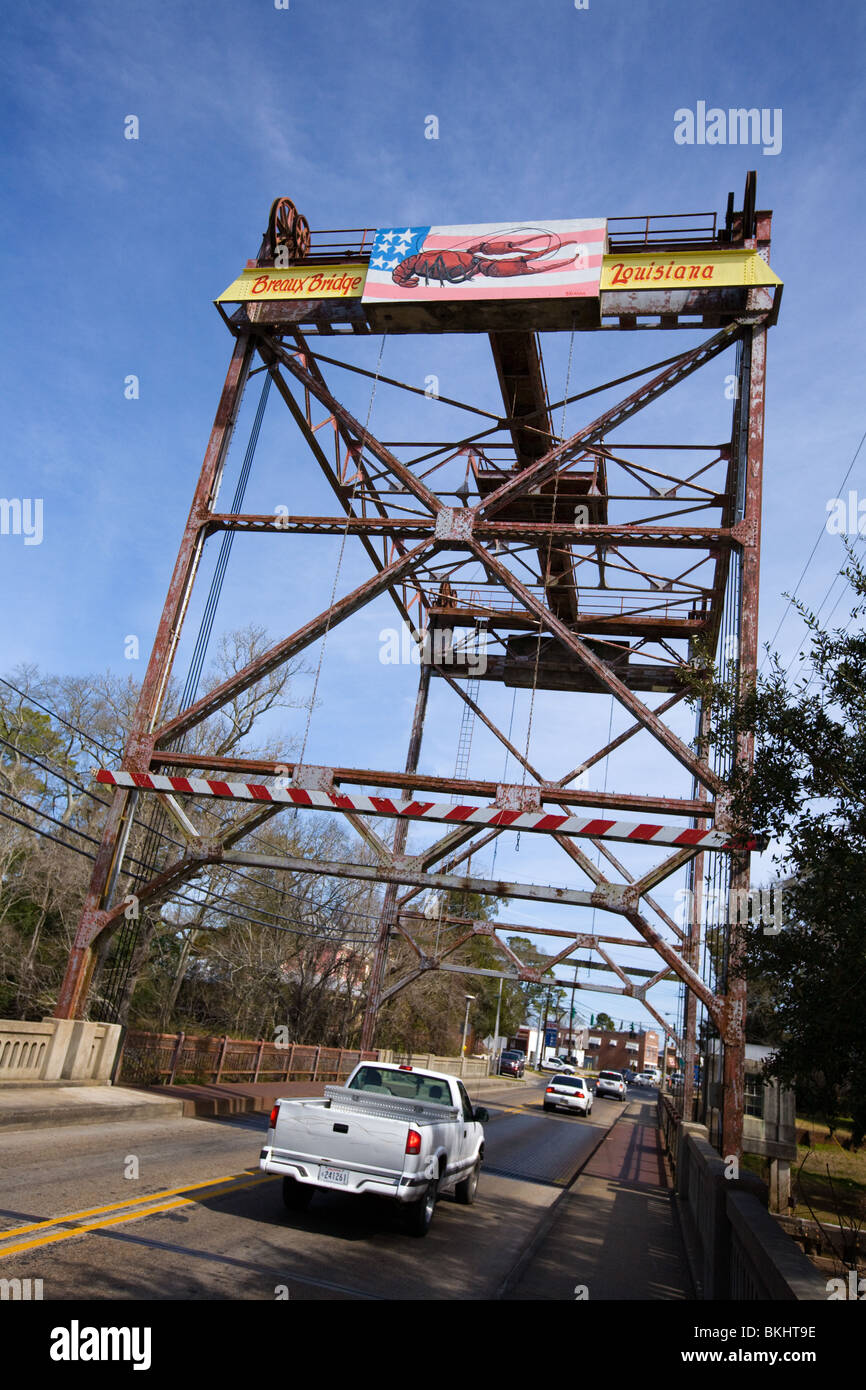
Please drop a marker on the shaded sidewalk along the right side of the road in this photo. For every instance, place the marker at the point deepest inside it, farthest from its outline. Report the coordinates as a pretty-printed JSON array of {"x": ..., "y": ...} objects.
[{"x": 615, "y": 1232}]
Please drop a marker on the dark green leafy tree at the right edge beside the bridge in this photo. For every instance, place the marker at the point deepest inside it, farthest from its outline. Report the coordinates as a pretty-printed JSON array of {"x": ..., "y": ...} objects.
[{"x": 808, "y": 790}]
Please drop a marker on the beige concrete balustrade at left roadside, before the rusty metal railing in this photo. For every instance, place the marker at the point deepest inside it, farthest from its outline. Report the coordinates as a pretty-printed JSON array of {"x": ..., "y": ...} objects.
[{"x": 58, "y": 1050}]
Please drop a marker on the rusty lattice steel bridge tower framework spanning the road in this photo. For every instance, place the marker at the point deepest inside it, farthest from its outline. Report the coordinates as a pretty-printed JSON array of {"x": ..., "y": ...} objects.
[{"x": 543, "y": 551}]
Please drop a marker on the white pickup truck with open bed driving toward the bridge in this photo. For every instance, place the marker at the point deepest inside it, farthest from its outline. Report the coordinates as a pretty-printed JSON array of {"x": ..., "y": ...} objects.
[{"x": 391, "y": 1132}]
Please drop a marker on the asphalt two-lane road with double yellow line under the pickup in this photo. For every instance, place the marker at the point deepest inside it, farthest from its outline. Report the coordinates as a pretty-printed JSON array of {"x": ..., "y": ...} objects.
[{"x": 201, "y": 1221}]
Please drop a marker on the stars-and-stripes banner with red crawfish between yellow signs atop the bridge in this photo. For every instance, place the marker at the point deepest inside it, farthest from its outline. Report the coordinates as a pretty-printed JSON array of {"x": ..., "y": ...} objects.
[{"x": 487, "y": 261}]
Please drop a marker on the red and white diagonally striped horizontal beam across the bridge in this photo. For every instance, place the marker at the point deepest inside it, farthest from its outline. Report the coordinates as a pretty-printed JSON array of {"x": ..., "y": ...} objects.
[{"x": 436, "y": 811}]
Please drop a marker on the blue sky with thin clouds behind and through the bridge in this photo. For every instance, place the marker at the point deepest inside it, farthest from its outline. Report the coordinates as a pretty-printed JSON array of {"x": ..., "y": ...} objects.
[{"x": 115, "y": 250}]
